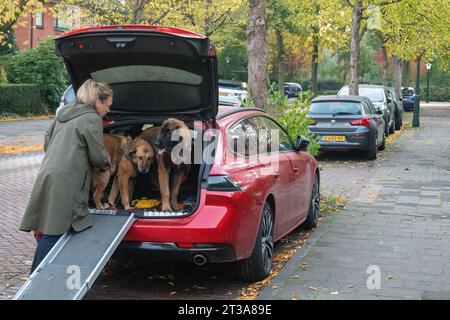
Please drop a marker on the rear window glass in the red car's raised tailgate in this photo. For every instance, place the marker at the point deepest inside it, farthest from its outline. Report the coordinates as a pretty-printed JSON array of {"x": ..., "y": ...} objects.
[{"x": 146, "y": 73}]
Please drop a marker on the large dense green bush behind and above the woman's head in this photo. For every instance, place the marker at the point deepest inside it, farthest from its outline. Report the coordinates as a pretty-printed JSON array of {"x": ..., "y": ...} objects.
[{"x": 40, "y": 66}]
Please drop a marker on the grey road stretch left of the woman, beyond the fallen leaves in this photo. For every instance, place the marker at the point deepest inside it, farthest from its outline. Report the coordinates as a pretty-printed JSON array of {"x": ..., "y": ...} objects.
[{"x": 26, "y": 132}]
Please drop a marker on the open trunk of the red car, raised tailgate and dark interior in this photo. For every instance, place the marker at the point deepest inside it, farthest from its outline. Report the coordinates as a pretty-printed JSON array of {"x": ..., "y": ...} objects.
[{"x": 155, "y": 73}]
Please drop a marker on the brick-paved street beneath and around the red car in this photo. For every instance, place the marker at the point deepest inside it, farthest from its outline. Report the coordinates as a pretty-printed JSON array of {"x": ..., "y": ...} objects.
[{"x": 342, "y": 174}]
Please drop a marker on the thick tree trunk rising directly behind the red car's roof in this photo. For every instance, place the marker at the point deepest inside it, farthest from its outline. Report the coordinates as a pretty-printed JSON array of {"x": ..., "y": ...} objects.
[{"x": 258, "y": 52}]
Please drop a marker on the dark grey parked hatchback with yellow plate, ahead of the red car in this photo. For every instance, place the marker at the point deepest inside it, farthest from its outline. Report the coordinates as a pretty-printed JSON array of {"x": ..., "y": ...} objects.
[{"x": 347, "y": 122}]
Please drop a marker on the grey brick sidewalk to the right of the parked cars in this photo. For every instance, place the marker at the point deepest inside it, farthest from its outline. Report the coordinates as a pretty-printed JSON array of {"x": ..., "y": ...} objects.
[{"x": 397, "y": 225}]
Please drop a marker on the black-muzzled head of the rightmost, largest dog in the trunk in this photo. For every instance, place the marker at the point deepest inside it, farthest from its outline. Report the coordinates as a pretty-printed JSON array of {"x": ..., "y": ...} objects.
[{"x": 174, "y": 136}]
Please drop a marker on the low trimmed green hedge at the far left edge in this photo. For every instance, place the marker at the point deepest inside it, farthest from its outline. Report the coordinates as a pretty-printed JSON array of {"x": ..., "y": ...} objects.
[{"x": 20, "y": 99}]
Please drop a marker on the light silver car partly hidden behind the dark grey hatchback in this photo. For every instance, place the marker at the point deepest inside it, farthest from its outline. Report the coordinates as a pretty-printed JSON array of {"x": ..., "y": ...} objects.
[{"x": 380, "y": 99}]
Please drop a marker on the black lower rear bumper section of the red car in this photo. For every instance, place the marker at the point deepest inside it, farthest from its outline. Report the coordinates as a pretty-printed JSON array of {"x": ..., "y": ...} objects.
[{"x": 155, "y": 251}]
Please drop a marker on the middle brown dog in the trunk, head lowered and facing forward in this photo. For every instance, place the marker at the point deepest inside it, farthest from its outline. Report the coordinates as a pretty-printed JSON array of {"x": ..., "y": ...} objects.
[{"x": 137, "y": 158}]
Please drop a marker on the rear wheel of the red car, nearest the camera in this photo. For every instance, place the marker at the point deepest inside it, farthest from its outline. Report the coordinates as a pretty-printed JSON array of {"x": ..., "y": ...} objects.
[{"x": 259, "y": 265}]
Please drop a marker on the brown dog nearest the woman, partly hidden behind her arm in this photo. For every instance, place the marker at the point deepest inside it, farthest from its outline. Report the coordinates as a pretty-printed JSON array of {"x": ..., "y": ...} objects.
[{"x": 100, "y": 179}]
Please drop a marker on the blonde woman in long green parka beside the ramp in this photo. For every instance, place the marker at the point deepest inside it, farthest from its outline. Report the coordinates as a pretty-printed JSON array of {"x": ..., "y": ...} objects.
[{"x": 73, "y": 146}]
